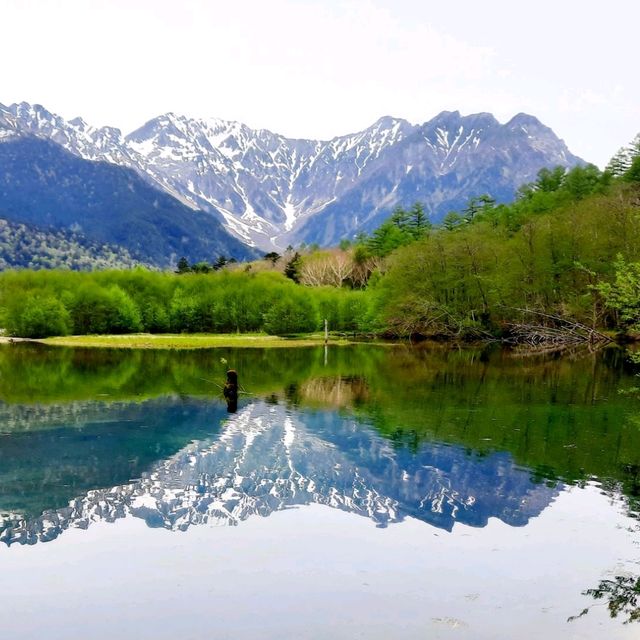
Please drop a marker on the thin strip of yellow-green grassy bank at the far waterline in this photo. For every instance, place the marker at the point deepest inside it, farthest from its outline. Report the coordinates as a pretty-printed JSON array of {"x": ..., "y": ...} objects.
[{"x": 192, "y": 341}]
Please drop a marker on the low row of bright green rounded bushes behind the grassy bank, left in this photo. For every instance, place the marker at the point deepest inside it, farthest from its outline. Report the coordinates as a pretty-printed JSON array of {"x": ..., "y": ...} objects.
[{"x": 47, "y": 303}]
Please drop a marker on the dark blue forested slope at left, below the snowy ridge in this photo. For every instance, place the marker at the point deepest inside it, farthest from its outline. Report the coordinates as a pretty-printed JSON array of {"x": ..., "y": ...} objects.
[{"x": 41, "y": 183}]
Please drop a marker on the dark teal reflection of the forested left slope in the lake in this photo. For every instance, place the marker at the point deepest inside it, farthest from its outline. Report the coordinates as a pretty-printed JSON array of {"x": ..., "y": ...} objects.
[{"x": 50, "y": 454}]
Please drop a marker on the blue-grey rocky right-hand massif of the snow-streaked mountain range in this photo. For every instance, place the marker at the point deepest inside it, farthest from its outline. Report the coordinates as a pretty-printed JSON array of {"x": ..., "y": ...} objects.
[{"x": 442, "y": 164}]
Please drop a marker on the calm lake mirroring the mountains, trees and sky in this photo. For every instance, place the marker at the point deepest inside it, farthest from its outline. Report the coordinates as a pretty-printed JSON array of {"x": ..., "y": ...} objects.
[{"x": 357, "y": 492}]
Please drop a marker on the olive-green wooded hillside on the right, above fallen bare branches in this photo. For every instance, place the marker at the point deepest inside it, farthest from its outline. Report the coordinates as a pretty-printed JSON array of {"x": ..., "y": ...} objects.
[{"x": 547, "y": 251}]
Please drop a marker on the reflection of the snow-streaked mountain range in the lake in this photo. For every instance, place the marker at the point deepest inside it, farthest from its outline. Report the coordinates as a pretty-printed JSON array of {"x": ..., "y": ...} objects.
[{"x": 268, "y": 458}]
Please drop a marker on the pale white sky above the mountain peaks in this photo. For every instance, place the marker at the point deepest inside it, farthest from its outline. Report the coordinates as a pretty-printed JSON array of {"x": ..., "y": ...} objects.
[{"x": 312, "y": 68}]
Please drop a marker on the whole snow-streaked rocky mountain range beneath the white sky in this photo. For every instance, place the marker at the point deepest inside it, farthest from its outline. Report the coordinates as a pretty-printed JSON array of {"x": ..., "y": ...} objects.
[{"x": 271, "y": 191}]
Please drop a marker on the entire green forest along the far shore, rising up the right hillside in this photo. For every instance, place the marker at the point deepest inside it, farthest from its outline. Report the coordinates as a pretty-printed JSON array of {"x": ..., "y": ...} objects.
[{"x": 568, "y": 247}]
